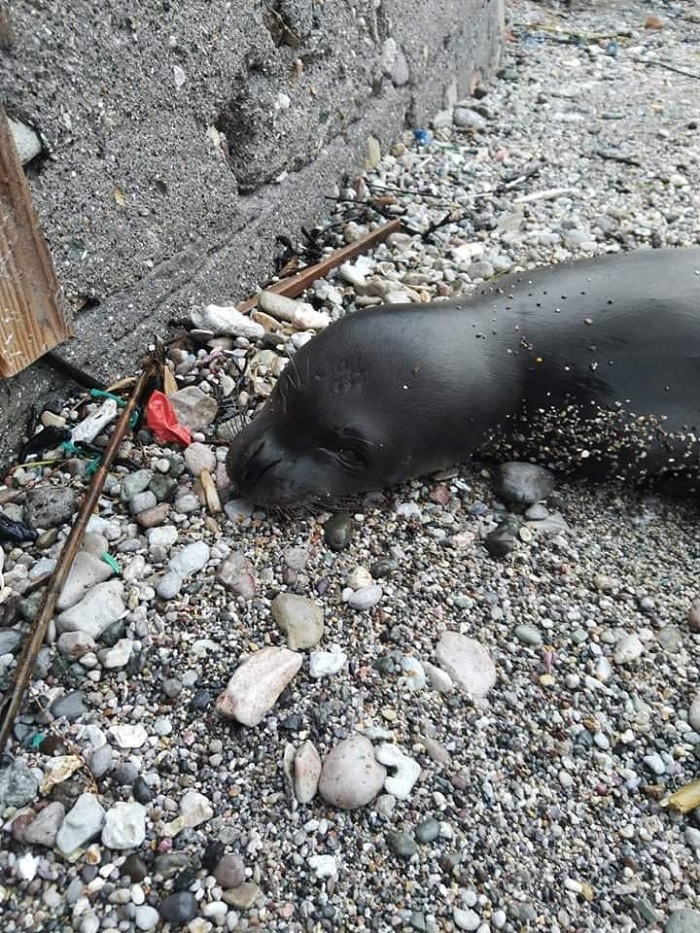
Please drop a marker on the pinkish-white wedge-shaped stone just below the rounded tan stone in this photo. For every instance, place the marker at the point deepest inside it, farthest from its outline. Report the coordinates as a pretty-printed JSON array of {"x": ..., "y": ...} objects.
[{"x": 254, "y": 687}]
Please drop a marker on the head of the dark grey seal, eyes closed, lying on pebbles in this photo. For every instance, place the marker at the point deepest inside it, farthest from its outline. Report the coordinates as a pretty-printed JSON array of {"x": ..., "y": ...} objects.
[{"x": 350, "y": 413}]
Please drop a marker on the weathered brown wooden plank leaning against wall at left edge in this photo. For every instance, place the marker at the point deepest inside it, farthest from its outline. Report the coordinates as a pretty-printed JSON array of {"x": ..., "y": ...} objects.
[{"x": 33, "y": 314}]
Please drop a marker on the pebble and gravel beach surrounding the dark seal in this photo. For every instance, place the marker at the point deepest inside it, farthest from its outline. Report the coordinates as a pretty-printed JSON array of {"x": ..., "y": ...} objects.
[{"x": 433, "y": 710}]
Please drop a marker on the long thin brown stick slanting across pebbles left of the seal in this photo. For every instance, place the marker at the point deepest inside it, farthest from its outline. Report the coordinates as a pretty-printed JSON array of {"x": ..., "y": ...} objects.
[{"x": 25, "y": 665}]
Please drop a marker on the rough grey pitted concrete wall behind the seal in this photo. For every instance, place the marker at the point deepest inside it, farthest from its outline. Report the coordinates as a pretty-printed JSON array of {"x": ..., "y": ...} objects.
[{"x": 183, "y": 135}]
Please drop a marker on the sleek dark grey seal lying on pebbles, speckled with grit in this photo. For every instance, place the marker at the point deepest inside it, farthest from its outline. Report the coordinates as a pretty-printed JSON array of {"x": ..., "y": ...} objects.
[{"x": 591, "y": 368}]
